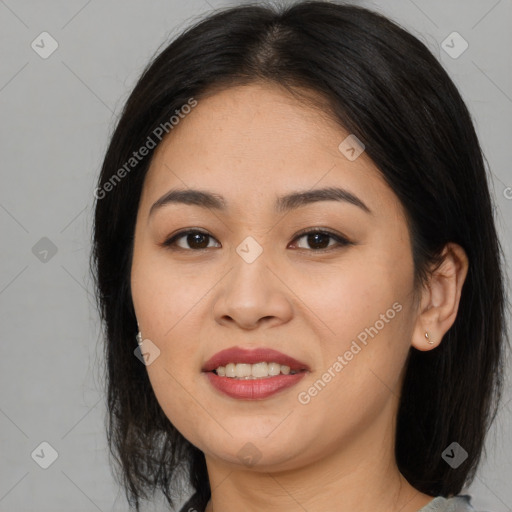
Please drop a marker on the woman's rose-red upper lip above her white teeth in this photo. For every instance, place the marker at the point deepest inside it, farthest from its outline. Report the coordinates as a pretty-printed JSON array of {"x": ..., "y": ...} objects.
[{"x": 252, "y": 356}]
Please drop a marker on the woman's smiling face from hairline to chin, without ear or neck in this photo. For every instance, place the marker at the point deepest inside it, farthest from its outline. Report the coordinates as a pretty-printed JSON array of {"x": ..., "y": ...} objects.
[{"x": 251, "y": 275}]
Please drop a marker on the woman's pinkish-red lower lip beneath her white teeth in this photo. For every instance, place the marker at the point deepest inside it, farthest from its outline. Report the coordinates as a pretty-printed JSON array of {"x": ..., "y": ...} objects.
[{"x": 253, "y": 389}]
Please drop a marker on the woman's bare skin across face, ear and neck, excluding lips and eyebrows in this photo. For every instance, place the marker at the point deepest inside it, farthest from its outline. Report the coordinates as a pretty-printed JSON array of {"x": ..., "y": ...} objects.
[{"x": 251, "y": 144}]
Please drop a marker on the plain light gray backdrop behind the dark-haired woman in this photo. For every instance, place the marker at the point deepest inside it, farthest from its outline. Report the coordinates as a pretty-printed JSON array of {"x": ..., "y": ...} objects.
[{"x": 56, "y": 116}]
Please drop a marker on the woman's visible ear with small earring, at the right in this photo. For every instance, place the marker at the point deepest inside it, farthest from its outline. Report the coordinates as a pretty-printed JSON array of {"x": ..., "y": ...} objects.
[{"x": 440, "y": 298}]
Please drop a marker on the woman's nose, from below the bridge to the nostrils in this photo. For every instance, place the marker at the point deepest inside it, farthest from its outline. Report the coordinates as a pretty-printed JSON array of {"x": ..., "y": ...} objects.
[{"x": 252, "y": 294}]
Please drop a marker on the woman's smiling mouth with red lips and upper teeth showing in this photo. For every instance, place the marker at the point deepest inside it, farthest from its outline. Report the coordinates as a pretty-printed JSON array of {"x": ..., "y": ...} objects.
[{"x": 253, "y": 374}]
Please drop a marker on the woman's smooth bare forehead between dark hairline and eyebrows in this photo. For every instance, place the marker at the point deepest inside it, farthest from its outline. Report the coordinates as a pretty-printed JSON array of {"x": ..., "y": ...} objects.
[{"x": 258, "y": 140}]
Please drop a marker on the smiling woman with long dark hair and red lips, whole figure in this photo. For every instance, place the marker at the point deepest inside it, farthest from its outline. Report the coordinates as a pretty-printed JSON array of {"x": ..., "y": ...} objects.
[{"x": 293, "y": 220}]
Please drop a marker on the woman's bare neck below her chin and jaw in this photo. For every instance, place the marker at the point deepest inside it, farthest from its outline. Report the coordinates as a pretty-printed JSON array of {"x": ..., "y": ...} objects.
[{"x": 362, "y": 476}]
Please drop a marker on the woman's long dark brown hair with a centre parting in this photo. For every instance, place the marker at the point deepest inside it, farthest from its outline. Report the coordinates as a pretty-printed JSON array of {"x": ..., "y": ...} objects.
[{"x": 383, "y": 85}]
